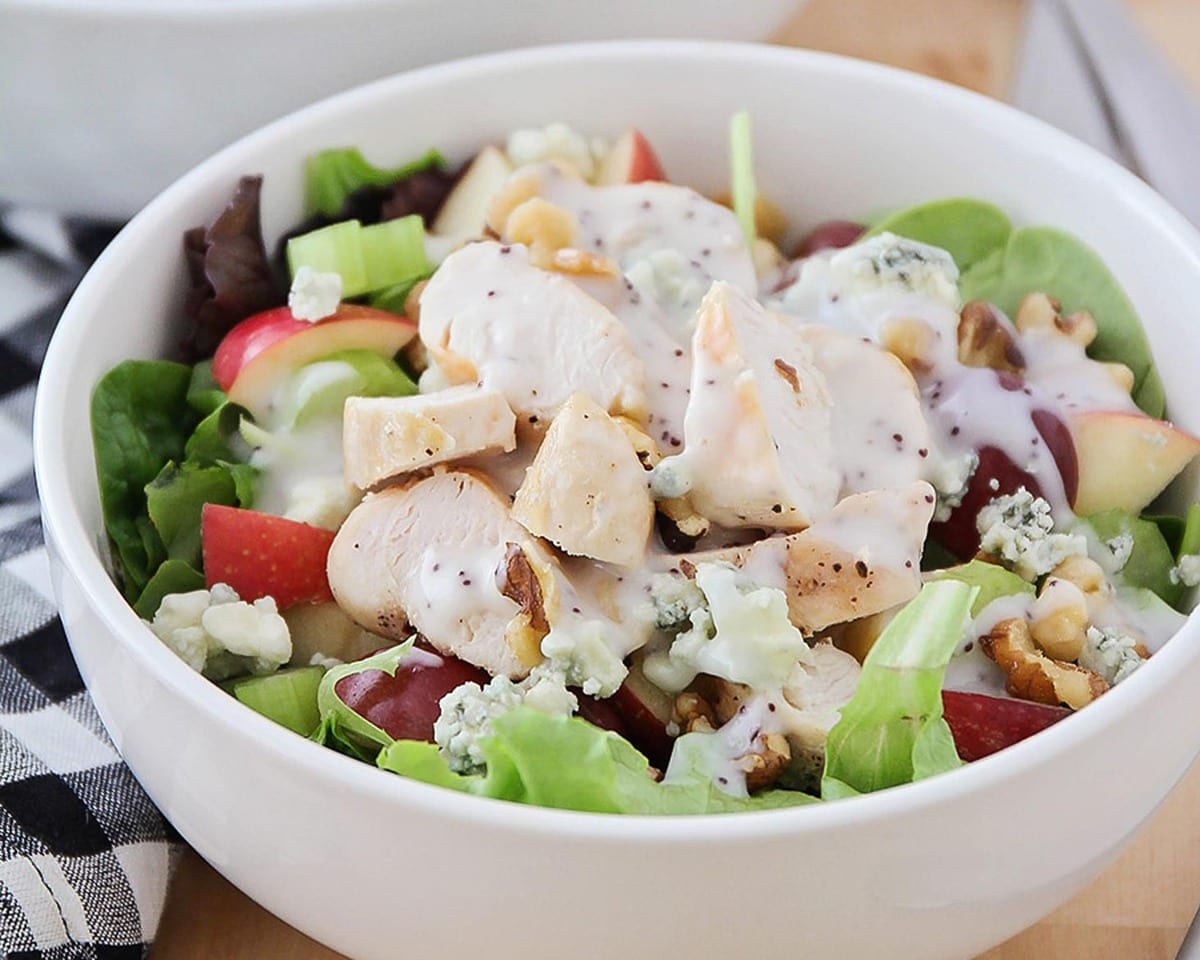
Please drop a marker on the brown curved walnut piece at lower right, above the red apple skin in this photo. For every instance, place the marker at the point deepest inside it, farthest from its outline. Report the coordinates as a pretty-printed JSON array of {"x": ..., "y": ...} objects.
[{"x": 1034, "y": 676}]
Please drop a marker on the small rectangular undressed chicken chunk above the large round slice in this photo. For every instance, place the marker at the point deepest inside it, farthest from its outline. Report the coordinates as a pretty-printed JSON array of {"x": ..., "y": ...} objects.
[{"x": 385, "y": 437}]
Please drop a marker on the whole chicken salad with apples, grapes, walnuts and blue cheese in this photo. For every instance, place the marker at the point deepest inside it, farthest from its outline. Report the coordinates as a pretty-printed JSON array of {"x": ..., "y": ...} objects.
[{"x": 553, "y": 481}]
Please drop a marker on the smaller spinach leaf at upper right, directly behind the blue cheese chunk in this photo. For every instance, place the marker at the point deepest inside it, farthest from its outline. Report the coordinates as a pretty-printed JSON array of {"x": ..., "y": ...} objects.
[{"x": 965, "y": 229}]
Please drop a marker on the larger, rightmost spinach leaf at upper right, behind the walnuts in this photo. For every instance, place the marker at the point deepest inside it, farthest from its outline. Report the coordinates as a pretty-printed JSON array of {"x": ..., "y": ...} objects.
[{"x": 1051, "y": 261}]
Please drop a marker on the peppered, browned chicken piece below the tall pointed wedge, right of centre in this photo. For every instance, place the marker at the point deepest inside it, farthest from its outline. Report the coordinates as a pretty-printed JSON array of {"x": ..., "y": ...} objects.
[{"x": 861, "y": 559}]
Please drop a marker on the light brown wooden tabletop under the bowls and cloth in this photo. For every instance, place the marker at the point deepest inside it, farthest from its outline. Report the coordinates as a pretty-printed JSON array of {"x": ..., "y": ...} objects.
[{"x": 1141, "y": 908}]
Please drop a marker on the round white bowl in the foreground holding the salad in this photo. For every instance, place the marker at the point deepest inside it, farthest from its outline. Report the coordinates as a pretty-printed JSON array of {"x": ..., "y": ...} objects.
[{"x": 376, "y": 866}]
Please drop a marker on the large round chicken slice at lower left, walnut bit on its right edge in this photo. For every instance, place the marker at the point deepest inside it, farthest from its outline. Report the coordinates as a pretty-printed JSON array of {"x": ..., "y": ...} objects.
[{"x": 445, "y": 557}]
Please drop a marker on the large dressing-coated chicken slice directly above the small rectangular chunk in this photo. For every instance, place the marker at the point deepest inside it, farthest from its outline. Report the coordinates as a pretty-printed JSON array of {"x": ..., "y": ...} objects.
[{"x": 489, "y": 315}]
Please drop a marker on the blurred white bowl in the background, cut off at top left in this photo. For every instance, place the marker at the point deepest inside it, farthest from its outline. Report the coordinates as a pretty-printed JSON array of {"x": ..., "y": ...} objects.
[{"x": 107, "y": 101}]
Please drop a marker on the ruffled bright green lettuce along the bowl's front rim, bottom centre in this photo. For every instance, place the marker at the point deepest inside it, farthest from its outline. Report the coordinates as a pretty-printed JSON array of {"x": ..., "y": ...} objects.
[{"x": 568, "y": 764}]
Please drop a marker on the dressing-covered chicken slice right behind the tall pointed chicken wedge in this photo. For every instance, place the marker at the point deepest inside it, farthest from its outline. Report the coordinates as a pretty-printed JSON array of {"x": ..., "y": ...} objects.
[{"x": 883, "y": 435}]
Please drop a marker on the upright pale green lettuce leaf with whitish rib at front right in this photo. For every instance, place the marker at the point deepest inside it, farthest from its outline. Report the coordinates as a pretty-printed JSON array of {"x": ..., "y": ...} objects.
[{"x": 892, "y": 730}]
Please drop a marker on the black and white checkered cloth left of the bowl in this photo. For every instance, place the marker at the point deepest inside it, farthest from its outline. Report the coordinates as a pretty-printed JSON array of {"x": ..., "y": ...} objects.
[{"x": 85, "y": 856}]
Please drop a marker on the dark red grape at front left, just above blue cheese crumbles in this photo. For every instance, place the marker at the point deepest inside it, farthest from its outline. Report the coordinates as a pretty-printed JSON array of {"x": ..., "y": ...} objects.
[{"x": 406, "y": 706}]
